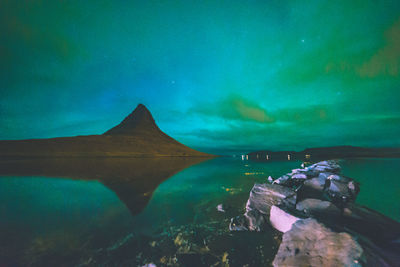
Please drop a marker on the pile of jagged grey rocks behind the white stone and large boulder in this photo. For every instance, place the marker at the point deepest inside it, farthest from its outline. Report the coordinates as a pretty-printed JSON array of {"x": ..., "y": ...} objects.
[{"x": 313, "y": 190}]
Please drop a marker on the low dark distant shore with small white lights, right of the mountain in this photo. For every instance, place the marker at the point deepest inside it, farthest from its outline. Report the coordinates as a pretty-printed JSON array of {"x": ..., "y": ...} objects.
[{"x": 326, "y": 153}]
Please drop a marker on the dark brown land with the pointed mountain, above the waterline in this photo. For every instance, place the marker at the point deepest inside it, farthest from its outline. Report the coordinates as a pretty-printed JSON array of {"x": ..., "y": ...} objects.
[{"x": 136, "y": 136}]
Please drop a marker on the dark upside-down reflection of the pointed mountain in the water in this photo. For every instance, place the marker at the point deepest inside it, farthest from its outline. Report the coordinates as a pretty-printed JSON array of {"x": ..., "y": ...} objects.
[{"x": 132, "y": 179}]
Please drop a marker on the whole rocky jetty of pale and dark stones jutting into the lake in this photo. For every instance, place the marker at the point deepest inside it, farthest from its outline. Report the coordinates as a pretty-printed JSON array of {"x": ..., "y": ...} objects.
[{"x": 314, "y": 207}]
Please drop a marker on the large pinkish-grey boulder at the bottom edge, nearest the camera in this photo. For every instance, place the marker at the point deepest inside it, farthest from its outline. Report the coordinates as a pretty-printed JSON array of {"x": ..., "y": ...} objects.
[{"x": 309, "y": 243}]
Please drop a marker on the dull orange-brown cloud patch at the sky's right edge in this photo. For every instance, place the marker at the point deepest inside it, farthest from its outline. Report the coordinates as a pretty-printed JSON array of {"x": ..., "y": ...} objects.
[{"x": 386, "y": 60}]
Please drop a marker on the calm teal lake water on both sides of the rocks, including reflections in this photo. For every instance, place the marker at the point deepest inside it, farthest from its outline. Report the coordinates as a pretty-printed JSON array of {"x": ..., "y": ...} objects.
[{"x": 133, "y": 212}]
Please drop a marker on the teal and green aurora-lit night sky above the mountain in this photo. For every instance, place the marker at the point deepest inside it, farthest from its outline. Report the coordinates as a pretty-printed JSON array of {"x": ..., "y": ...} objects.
[{"x": 217, "y": 75}]
